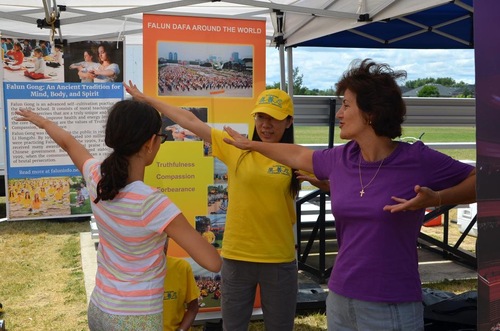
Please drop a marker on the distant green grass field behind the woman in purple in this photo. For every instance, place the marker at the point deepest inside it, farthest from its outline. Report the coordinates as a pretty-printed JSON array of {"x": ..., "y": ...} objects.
[{"x": 319, "y": 135}]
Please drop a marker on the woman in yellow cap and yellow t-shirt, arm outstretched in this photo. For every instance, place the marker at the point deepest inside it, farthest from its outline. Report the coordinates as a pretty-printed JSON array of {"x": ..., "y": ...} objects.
[{"x": 262, "y": 205}]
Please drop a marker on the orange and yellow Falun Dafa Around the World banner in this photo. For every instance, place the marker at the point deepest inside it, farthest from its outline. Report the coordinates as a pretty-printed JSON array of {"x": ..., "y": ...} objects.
[{"x": 215, "y": 68}]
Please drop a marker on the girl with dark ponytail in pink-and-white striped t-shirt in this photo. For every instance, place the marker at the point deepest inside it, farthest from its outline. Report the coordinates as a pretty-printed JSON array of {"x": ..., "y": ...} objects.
[{"x": 134, "y": 219}]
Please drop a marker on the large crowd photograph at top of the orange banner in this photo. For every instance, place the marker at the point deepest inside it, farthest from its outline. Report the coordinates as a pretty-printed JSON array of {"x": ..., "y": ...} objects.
[{"x": 203, "y": 69}]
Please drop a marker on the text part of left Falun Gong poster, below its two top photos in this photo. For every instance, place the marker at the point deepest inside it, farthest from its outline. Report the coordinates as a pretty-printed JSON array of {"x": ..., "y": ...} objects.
[{"x": 42, "y": 180}]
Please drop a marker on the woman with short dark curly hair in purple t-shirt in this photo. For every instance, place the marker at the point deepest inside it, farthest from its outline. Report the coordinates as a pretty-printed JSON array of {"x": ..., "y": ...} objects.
[{"x": 375, "y": 284}]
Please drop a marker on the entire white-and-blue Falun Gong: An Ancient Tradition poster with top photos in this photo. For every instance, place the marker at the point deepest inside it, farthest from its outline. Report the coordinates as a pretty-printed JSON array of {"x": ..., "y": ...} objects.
[{"x": 74, "y": 85}]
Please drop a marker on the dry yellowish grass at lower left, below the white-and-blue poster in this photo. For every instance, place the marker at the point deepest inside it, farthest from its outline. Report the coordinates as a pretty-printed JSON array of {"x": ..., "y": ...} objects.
[{"x": 41, "y": 275}]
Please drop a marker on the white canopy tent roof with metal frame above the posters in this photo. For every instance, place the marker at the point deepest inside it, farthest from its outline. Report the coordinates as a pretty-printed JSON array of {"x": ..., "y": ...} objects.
[{"x": 289, "y": 22}]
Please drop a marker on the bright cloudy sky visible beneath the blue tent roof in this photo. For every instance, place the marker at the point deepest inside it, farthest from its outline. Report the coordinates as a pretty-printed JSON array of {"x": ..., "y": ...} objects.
[{"x": 321, "y": 67}]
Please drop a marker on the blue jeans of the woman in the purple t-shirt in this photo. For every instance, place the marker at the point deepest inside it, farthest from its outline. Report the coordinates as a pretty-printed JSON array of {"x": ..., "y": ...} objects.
[{"x": 345, "y": 314}]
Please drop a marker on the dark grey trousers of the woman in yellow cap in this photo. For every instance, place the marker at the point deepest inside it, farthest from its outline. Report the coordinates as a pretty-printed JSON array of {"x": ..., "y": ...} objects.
[{"x": 278, "y": 292}]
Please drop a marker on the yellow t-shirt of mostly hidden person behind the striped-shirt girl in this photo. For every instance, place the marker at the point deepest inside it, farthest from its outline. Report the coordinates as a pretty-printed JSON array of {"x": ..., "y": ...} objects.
[{"x": 180, "y": 289}]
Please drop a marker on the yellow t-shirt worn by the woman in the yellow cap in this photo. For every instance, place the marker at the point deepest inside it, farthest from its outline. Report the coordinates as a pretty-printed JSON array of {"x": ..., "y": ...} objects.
[{"x": 261, "y": 210}]
